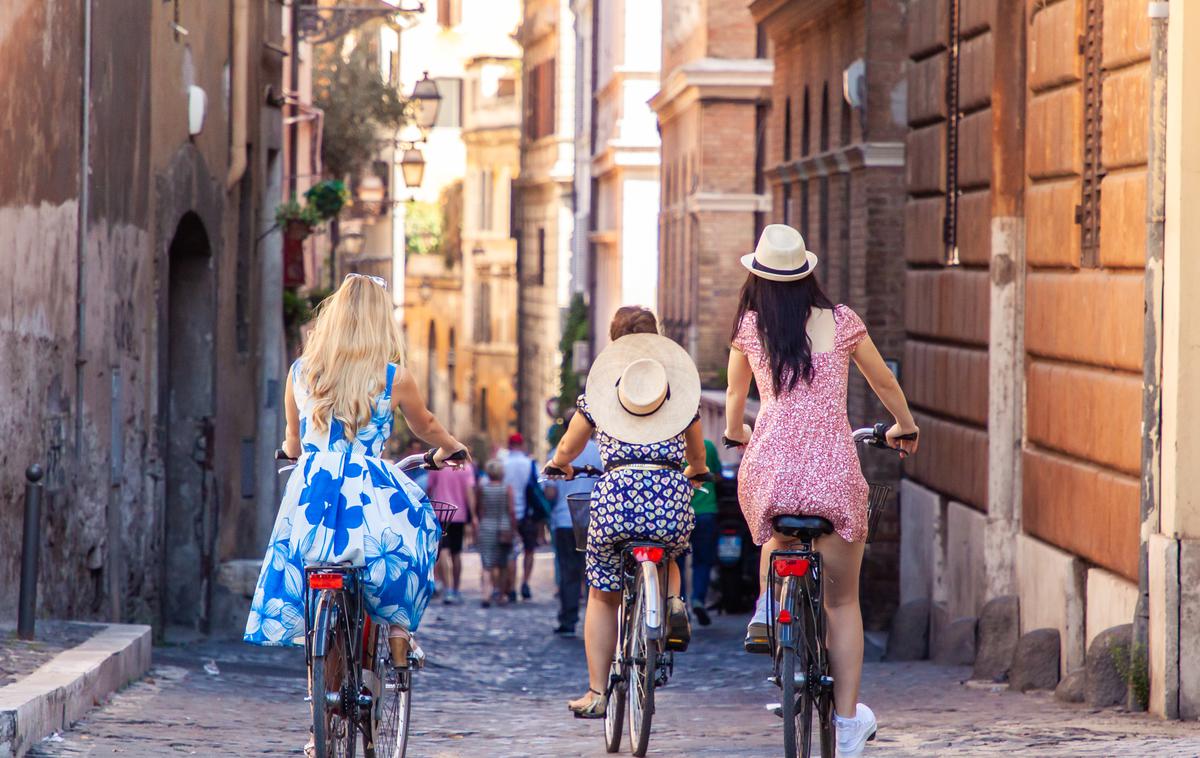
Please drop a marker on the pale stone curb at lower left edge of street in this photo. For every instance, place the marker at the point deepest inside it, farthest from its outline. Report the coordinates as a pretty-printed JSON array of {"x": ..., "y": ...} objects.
[{"x": 67, "y": 688}]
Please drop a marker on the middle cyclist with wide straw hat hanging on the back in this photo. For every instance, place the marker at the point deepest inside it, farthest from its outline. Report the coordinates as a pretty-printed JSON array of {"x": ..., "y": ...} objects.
[{"x": 641, "y": 404}]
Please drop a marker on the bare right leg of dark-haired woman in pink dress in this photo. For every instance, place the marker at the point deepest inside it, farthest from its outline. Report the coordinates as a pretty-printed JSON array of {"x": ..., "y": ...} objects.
[{"x": 843, "y": 562}]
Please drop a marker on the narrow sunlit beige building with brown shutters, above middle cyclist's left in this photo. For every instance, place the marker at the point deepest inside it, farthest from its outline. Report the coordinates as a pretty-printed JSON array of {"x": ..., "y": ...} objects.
[{"x": 544, "y": 215}]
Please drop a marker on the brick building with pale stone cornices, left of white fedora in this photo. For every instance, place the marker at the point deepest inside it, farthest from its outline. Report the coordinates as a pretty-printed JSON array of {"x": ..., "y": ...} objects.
[{"x": 713, "y": 111}]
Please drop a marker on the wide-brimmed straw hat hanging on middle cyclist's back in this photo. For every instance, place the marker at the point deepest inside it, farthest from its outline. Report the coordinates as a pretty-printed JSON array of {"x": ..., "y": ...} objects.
[{"x": 644, "y": 389}]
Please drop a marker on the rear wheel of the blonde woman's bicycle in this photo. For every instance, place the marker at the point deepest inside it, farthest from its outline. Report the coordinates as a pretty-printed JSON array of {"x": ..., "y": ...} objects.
[{"x": 333, "y": 682}]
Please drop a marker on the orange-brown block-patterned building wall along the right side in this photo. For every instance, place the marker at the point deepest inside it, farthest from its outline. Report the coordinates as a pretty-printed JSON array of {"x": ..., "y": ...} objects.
[{"x": 1042, "y": 347}]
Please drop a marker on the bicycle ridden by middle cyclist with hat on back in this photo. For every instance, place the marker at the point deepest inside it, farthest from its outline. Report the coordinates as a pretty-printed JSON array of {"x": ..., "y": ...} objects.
[{"x": 643, "y": 658}]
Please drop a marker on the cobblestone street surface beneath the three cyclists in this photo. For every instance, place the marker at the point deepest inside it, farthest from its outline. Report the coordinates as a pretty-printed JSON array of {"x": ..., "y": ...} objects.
[{"x": 497, "y": 684}]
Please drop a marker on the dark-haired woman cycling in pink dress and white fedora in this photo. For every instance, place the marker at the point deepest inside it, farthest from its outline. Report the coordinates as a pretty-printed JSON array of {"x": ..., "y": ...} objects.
[{"x": 801, "y": 458}]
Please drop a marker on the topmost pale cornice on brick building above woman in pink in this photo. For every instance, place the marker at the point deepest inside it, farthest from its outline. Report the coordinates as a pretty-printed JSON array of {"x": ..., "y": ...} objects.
[{"x": 711, "y": 79}]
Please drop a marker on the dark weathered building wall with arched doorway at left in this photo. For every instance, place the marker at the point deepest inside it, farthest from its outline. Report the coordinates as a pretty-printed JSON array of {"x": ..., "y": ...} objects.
[{"x": 141, "y": 348}]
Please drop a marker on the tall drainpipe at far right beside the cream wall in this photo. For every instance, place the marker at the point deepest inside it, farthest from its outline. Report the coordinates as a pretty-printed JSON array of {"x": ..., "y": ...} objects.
[{"x": 1153, "y": 324}]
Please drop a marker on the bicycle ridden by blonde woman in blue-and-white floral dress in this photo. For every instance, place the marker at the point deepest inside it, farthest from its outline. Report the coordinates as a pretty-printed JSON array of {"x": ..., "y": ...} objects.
[{"x": 353, "y": 694}]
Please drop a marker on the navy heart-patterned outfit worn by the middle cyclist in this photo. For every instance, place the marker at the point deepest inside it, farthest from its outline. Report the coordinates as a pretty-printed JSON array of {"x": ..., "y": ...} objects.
[{"x": 637, "y": 504}]
